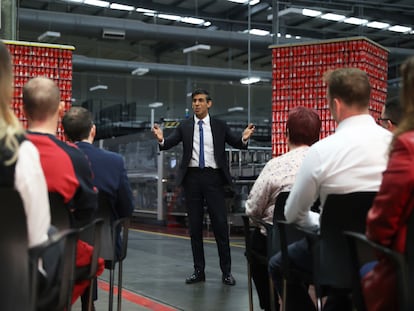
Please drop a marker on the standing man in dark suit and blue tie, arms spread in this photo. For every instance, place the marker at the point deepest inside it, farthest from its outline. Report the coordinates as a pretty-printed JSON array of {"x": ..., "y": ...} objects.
[{"x": 203, "y": 173}]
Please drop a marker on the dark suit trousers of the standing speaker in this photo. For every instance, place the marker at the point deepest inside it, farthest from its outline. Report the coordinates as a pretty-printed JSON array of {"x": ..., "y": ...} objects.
[{"x": 207, "y": 185}]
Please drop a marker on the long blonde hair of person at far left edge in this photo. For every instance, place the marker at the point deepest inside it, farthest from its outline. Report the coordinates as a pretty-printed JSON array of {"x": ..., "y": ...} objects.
[{"x": 10, "y": 127}]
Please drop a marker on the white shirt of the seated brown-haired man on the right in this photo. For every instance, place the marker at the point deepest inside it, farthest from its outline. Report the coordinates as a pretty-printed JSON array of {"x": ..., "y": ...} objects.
[{"x": 352, "y": 159}]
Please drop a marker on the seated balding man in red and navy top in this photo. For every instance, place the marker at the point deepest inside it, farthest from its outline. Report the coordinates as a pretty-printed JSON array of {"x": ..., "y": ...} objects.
[{"x": 66, "y": 168}]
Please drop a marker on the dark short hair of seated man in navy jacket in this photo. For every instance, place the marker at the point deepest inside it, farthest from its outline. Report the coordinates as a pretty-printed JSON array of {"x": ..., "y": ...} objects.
[{"x": 77, "y": 123}]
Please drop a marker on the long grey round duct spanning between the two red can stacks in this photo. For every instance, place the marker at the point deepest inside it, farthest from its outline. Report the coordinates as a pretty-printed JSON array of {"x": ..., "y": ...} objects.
[{"x": 83, "y": 63}]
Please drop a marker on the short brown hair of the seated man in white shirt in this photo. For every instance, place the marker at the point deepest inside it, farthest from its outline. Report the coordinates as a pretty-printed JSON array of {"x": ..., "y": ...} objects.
[{"x": 351, "y": 85}]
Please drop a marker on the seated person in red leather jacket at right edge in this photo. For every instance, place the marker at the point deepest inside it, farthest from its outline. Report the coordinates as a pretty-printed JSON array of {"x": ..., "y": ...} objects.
[{"x": 394, "y": 204}]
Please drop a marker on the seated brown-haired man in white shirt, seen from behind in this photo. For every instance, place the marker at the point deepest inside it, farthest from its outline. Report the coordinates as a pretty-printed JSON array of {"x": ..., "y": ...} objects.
[{"x": 352, "y": 159}]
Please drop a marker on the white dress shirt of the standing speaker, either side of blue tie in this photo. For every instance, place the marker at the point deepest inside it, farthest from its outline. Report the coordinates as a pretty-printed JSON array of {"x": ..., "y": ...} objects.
[{"x": 209, "y": 159}]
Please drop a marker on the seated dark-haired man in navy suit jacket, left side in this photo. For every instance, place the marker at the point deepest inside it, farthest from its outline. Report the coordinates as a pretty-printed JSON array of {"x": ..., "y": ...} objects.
[{"x": 110, "y": 176}]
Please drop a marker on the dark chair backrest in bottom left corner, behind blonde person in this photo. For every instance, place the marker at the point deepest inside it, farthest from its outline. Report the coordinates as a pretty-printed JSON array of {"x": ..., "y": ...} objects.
[{"x": 14, "y": 267}]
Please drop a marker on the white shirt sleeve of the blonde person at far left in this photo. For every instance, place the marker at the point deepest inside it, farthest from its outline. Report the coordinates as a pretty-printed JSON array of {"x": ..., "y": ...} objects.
[{"x": 30, "y": 182}]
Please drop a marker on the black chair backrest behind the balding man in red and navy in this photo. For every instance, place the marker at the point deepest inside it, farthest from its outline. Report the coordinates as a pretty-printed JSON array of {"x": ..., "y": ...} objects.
[{"x": 61, "y": 217}]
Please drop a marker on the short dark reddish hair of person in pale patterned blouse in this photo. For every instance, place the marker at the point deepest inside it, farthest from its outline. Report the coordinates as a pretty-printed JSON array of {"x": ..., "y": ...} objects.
[{"x": 303, "y": 126}]
